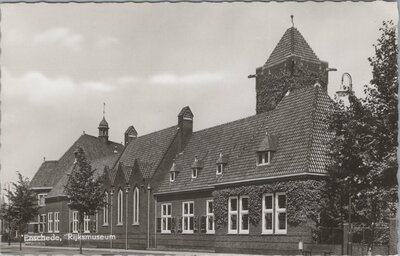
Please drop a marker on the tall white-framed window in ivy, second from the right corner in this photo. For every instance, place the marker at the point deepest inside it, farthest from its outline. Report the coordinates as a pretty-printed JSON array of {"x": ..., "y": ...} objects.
[{"x": 238, "y": 215}]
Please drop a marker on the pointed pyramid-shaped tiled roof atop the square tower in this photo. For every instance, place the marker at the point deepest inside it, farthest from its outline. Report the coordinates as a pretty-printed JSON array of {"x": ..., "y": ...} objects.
[{"x": 291, "y": 43}]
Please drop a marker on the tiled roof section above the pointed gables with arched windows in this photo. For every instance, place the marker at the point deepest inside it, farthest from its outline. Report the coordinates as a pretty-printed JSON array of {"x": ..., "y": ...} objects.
[{"x": 147, "y": 151}]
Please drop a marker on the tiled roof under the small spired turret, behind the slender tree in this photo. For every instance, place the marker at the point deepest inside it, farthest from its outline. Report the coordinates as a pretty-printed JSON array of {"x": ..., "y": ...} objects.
[{"x": 94, "y": 148}]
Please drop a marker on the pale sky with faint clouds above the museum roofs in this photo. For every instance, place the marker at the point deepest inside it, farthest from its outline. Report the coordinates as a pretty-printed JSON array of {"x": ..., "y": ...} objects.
[{"x": 60, "y": 62}]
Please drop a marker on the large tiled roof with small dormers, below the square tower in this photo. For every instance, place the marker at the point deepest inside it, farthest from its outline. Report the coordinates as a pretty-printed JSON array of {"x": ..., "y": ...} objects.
[{"x": 298, "y": 123}]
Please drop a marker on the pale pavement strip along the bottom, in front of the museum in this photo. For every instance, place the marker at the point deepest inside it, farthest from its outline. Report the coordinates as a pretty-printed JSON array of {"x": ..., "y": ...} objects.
[{"x": 30, "y": 250}]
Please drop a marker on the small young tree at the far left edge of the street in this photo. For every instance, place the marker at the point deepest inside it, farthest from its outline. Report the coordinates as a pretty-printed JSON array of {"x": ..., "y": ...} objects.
[{"x": 22, "y": 205}]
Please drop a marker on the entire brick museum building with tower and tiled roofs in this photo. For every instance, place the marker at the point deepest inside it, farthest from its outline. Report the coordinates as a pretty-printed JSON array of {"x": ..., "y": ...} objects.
[{"x": 250, "y": 185}]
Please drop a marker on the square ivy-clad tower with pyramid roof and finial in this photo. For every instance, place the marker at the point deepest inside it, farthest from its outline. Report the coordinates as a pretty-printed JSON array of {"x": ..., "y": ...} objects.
[{"x": 291, "y": 64}]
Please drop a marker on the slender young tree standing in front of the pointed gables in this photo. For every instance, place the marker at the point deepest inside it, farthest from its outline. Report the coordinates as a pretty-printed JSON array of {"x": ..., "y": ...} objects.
[{"x": 85, "y": 192}]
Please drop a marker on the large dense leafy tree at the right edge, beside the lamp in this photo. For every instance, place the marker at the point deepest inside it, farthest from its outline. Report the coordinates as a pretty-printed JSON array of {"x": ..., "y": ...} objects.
[{"x": 362, "y": 186}]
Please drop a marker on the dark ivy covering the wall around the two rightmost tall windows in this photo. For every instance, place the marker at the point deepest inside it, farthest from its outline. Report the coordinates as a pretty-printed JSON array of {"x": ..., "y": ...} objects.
[{"x": 303, "y": 201}]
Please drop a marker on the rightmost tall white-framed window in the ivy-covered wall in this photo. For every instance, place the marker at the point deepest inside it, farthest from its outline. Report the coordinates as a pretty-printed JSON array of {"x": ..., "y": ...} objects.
[{"x": 274, "y": 214}]
